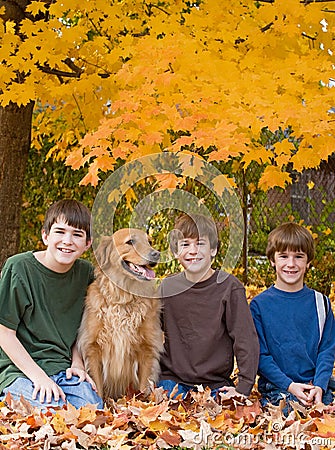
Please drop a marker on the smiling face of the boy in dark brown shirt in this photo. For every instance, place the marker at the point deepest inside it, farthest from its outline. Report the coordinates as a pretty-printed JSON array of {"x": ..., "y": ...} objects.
[{"x": 195, "y": 255}]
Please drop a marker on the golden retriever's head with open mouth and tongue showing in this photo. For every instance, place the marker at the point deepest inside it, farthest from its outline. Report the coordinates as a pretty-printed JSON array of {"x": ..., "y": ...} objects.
[{"x": 128, "y": 249}]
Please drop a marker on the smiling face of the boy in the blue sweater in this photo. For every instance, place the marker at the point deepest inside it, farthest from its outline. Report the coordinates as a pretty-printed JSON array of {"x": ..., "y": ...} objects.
[{"x": 290, "y": 268}]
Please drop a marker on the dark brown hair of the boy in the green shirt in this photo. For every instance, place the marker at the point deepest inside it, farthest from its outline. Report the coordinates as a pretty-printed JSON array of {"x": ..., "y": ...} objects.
[{"x": 74, "y": 213}]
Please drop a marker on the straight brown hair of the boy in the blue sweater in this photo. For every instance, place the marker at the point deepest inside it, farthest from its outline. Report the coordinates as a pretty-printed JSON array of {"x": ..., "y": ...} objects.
[{"x": 290, "y": 236}]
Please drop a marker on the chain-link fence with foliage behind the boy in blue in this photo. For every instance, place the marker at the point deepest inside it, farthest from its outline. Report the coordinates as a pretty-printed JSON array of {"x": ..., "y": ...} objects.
[{"x": 309, "y": 200}]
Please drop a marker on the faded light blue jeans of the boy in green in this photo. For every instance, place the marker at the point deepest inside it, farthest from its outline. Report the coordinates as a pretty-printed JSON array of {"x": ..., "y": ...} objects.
[{"x": 77, "y": 393}]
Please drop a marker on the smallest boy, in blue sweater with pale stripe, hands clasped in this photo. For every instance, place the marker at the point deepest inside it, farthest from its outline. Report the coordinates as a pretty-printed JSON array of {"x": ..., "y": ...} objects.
[{"x": 296, "y": 331}]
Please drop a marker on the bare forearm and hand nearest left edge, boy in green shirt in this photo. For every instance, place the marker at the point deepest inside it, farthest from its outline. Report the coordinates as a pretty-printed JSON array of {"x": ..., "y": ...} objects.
[{"x": 15, "y": 351}]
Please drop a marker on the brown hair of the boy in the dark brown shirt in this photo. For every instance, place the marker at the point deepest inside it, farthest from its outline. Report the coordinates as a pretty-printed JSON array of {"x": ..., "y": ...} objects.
[{"x": 193, "y": 226}]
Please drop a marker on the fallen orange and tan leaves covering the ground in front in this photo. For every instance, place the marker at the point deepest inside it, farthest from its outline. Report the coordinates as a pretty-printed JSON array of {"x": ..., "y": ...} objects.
[{"x": 158, "y": 422}]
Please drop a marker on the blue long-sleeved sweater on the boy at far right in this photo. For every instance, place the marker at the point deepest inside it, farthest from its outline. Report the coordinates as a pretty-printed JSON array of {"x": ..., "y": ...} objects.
[{"x": 288, "y": 331}]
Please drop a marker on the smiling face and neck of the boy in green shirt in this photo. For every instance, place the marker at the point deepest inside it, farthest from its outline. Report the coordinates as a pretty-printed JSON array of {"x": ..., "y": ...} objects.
[{"x": 65, "y": 244}]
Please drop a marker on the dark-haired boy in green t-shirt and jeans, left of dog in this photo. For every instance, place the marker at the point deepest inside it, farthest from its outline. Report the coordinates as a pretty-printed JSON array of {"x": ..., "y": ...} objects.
[{"x": 41, "y": 301}]
